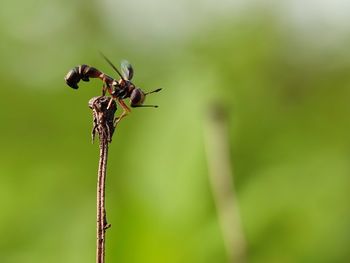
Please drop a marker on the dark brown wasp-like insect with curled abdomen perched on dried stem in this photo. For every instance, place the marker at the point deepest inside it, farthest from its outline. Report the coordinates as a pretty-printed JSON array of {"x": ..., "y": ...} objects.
[{"x": 118, "y": 89}]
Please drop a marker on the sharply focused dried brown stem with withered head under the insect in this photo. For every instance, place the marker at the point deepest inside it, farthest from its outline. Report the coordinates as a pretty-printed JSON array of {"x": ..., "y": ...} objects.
[{"x": 103, "y": 118}]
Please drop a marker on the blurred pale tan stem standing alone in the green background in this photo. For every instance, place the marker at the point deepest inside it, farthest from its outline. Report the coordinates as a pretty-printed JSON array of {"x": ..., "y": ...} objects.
[{"x": 221, "y": 180}]
